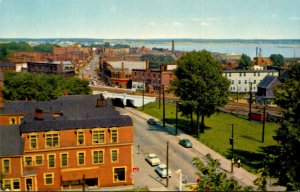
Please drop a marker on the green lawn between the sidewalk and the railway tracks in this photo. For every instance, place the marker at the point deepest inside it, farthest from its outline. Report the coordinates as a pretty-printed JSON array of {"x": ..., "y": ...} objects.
[{"x": 248, "y": 134}]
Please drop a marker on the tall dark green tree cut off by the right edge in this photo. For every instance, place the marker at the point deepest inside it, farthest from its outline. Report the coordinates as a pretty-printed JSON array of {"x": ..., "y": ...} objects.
[{"x": 286, "y": 157}]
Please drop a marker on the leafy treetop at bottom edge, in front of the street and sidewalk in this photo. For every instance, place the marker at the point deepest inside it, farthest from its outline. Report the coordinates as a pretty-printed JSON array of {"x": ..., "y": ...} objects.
[{"x": 211, "y": 178}]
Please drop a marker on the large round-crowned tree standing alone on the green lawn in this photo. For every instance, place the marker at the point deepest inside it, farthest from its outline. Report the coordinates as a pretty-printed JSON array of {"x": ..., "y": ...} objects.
[{"x": 200, "y": 83}]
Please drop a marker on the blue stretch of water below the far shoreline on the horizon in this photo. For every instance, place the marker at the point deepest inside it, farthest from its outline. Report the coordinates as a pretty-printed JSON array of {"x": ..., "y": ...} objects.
[{"x": 287, "y": 50}]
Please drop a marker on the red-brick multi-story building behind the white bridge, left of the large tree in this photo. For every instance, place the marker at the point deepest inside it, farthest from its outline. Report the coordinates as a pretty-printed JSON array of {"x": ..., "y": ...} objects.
[{"x": 152, "y": 79}]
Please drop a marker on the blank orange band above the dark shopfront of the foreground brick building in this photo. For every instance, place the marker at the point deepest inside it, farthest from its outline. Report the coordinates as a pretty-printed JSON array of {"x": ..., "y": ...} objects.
[{"x": 78, "y": 174}]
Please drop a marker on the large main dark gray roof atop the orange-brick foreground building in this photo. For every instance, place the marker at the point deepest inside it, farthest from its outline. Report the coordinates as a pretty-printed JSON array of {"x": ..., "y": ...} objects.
[{"x": 77, "y": 111}]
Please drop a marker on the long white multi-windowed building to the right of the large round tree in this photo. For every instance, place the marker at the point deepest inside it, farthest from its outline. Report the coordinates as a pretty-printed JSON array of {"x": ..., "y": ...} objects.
[{"x": 240, "y": 79}]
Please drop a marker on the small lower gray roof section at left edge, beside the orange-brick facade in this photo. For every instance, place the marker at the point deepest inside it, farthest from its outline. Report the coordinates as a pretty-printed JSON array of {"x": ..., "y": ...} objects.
[{"x": 11, "y": 142}]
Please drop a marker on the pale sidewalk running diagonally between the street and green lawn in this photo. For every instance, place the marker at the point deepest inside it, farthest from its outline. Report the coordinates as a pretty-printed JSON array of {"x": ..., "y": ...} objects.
[{"x": 240, "y": 174}]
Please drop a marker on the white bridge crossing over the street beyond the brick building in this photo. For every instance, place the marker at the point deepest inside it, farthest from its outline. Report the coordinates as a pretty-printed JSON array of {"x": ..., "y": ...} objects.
[{"x": 126, "y": 99}]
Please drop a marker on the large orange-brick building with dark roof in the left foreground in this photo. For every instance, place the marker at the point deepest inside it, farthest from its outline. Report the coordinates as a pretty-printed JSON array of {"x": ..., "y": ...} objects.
[{"x": 70, "y": 142}]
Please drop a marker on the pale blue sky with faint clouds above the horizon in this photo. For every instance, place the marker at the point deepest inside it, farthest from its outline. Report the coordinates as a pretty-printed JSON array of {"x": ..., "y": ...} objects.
[{"x": 150, "y": 19}]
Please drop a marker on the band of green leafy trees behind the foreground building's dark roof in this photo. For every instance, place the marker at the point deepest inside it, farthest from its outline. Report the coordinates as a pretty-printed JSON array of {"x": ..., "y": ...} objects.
[{"x": 22, "y": 86}]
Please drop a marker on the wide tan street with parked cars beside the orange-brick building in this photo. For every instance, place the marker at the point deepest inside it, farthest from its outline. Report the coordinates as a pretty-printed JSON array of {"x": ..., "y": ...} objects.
[{"x": 153, "y": 139}]
